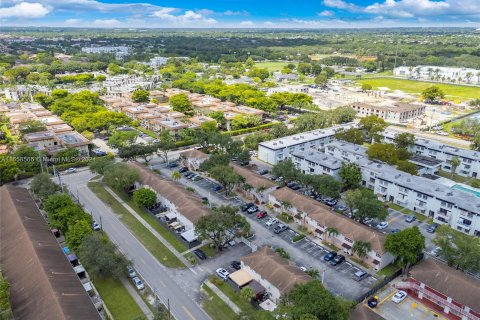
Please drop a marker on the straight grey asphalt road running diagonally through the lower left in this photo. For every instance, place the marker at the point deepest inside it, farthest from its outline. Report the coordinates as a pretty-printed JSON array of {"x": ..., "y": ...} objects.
[{"x": 155, "y": 275}]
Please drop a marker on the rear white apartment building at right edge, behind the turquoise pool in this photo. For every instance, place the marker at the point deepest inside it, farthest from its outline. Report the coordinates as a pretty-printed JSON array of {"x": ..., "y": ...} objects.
[{"x": 470, "y": 159}]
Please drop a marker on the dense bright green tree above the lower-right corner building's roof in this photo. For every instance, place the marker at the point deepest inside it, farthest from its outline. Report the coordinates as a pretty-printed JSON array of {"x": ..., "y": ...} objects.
[{"x": 406, "y": 245}]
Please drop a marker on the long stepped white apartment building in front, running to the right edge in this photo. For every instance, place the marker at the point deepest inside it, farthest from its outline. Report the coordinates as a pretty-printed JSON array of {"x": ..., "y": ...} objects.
[{"x": 459, "y": 209}]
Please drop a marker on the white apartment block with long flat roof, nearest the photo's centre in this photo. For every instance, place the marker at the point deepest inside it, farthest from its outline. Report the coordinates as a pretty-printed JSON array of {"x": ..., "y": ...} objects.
[{"x": 280, "y": 149}]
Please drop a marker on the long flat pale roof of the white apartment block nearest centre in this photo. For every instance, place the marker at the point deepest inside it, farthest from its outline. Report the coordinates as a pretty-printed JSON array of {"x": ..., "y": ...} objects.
[{"x": 303, "y": 137}]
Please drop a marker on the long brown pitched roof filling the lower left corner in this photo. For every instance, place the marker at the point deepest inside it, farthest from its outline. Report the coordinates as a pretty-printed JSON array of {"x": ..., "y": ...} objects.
[{"x": 43, "y": 284}]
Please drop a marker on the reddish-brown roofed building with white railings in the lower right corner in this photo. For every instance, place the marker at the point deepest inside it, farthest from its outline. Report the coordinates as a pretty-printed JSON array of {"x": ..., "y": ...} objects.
[{"x": 450, "y": 291}]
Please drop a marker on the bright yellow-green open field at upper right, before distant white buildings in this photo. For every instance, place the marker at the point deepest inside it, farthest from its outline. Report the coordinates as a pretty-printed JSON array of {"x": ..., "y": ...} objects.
[{"x": 410, "y": 86}]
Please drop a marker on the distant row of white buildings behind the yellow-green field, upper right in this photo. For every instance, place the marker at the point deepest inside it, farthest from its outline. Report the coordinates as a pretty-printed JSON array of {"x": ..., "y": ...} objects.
[{"x": 443, "y": 74}]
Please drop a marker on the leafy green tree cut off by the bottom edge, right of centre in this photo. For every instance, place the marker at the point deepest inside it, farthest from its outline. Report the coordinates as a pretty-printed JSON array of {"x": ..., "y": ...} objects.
[{"x": 312, "y": 299}]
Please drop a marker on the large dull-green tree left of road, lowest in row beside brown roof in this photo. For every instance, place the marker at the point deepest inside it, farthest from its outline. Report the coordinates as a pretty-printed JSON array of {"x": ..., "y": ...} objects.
[{"x": 101, "y": 257}]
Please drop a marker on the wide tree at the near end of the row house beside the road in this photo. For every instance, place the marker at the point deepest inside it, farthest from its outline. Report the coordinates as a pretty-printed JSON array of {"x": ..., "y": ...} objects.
[{"x": 222, "y": 226}]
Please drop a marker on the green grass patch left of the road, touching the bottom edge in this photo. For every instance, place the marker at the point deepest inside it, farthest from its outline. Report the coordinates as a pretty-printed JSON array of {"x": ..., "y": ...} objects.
[{"x": 118, "y": 300}]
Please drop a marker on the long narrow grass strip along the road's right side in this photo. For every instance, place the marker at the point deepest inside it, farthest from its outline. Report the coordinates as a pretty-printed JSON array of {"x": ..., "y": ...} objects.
[{"x": 156, "y": 248}]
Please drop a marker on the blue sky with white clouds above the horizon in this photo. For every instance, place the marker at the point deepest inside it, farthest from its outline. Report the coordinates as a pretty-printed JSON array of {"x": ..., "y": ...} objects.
[{"x": 241, "y": 13}]
